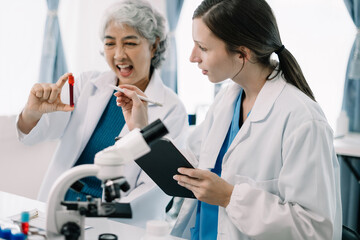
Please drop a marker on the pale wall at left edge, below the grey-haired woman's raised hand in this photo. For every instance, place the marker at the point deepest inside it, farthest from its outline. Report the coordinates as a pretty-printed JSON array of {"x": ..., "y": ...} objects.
[{"x": 21, "y": 167}]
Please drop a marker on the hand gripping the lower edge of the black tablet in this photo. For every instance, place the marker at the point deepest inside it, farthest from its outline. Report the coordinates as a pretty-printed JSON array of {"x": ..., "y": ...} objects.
[{"x": 206, "y": 186}]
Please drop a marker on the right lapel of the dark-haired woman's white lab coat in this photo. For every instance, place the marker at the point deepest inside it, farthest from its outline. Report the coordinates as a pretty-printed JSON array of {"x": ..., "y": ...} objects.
[{"x": 261, "y": 109}]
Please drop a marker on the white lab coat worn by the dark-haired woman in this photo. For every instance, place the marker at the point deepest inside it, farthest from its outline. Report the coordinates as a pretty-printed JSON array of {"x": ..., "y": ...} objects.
[{"x": 282, "y": 164}]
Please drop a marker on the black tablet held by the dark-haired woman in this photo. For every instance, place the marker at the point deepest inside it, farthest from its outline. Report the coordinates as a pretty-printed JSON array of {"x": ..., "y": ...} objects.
[{"x": 161, "y": 164}]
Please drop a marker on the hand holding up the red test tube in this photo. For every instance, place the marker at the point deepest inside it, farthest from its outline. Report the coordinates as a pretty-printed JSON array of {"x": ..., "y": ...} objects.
[{"x": 43, "y": 98}]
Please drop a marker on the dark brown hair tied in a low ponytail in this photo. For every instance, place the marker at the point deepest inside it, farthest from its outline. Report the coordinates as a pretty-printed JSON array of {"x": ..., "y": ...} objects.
[{"x": 252, "y": 24}]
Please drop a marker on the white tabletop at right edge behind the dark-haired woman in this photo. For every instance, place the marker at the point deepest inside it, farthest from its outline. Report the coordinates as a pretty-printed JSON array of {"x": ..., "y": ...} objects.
[{"x": 349, "y": 145}]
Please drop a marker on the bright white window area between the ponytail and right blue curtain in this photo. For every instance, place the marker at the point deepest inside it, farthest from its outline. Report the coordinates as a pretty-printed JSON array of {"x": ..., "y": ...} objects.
[{"x": 320, "y": 35}]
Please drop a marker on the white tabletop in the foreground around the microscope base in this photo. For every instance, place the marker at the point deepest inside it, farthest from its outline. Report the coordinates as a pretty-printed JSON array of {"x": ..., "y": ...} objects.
[{"x": 11, "y": 204}]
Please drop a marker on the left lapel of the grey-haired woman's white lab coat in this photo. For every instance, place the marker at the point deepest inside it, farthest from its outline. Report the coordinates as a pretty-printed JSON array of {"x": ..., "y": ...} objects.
[{"x": 97, "y": 101}]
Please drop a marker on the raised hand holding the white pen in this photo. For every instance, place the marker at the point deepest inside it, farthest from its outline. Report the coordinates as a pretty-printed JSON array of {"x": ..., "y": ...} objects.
[{"x": 134, "y": 110}]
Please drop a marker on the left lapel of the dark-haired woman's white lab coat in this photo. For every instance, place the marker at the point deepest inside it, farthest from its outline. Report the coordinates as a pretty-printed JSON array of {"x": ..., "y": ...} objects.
[{"x": 223, "y": 114}]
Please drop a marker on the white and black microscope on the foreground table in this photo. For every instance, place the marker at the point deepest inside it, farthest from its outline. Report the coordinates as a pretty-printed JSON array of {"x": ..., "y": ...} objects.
[{"x": 67, "y": 218}]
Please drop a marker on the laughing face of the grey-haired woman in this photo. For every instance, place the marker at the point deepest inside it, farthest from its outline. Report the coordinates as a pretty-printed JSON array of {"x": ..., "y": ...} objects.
[{"x": 128, "y": 54}]
